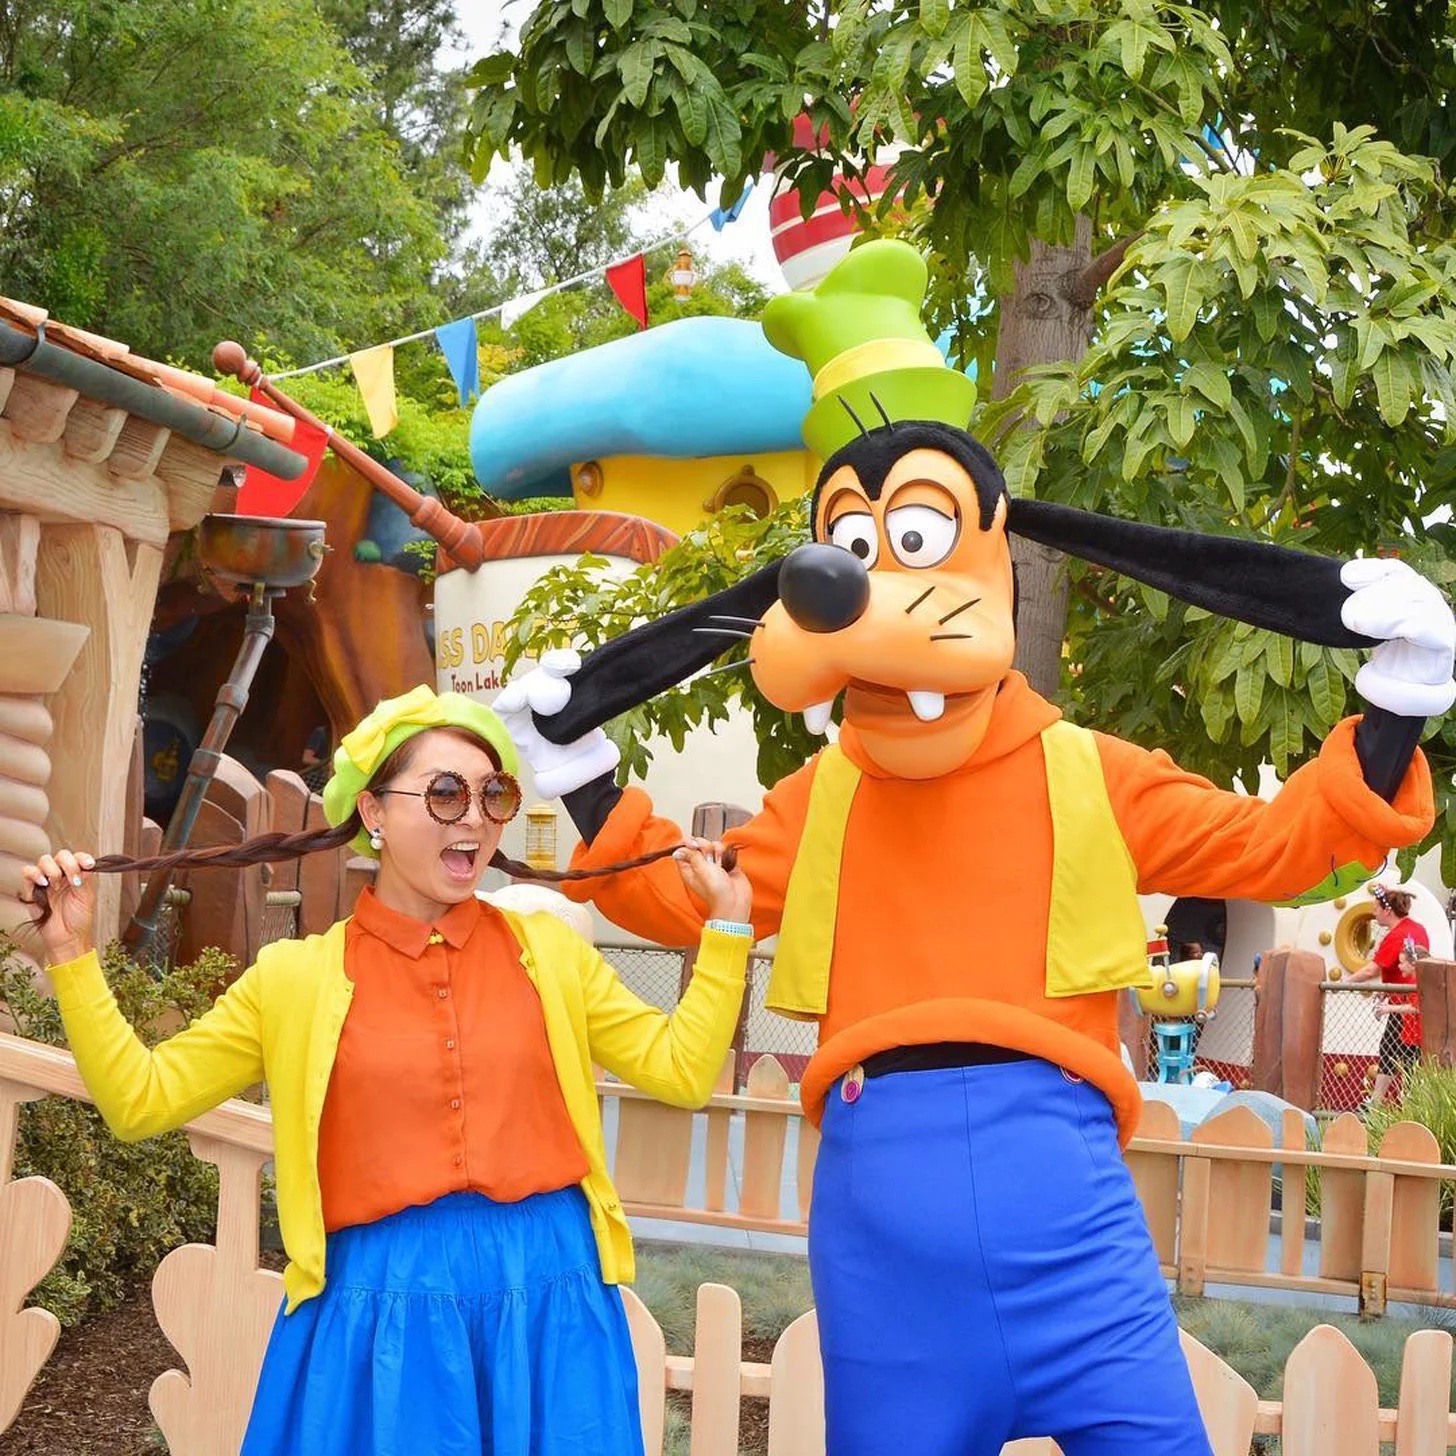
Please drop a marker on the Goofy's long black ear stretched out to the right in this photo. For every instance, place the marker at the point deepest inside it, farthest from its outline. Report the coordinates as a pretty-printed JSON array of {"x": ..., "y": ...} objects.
[{"x": 1289, "y": 592}]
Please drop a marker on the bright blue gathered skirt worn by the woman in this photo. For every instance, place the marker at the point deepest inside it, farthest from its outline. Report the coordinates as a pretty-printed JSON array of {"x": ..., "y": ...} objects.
[{"x": 462, "y": 1329}]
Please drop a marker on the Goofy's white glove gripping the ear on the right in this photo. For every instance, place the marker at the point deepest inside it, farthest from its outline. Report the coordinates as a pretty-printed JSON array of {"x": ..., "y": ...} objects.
[{"x": 1410, "y": 673}]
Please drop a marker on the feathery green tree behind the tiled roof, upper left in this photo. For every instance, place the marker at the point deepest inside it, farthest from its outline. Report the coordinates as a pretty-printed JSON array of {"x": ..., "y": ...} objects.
[{"x": 175, "y": 174}]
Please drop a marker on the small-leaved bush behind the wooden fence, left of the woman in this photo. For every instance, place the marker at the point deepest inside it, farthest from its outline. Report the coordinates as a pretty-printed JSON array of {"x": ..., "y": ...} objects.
[{"x": 132, "y": 1203}]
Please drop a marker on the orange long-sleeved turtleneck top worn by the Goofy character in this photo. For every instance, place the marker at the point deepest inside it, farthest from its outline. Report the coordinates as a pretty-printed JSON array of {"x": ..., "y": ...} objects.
[{"x": 946, "y": 885}]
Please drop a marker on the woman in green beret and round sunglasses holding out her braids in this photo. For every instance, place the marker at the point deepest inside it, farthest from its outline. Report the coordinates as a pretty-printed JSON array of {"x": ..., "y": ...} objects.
[{"x": 454, "y": 1235}]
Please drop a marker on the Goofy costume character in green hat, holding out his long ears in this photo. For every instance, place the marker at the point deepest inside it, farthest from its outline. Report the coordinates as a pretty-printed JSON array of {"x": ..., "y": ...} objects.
[{"x": 954, "y": 886}]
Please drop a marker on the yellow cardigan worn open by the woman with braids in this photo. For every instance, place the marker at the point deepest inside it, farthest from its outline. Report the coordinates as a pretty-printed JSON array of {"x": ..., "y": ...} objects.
[{"x": 282, "y": 1020}]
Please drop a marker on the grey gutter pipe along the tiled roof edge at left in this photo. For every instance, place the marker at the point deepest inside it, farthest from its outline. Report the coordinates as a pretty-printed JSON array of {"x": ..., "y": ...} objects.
[{"x": 229, "y": 438}]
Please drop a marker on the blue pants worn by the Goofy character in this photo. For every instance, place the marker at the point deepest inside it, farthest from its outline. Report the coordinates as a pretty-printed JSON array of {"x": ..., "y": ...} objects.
[{"x": 984, "y": 1273}]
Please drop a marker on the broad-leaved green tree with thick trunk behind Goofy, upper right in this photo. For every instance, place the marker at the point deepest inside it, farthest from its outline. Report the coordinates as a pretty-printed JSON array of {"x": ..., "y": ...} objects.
[{"x": 1202, "y": 286}]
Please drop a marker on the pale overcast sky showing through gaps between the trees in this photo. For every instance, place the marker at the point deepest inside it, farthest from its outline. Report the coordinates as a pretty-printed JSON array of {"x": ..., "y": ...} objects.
[{"x": 490, "y": 24}]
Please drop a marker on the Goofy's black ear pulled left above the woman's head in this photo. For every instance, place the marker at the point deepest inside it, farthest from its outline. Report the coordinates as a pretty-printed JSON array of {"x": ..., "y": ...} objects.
[{"x": 640, "y": 665}]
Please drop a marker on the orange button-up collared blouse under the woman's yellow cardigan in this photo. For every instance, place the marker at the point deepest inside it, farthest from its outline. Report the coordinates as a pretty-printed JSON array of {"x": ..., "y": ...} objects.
[{"x": 443, "y": 1080}]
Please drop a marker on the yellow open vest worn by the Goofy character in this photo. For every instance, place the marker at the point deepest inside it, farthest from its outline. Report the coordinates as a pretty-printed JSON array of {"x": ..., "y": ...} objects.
[{"x": 1096, "y": 934}]
